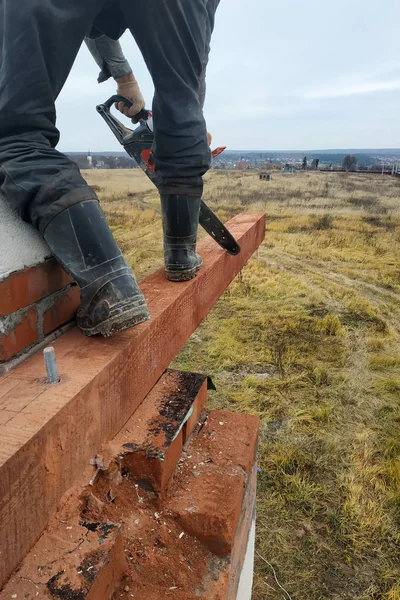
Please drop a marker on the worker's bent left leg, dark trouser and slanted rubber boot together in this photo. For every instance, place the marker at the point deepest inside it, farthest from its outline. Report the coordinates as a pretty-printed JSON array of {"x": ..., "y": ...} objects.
[{"x": 40, "y": 40}]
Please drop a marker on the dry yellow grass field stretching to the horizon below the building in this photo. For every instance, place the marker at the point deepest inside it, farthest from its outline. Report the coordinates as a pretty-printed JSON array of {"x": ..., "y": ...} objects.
[{"x": 307, "y": 337}]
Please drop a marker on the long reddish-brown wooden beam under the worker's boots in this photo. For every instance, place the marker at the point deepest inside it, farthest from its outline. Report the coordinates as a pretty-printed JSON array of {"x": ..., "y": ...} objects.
[{"x": 56, "y": 429}]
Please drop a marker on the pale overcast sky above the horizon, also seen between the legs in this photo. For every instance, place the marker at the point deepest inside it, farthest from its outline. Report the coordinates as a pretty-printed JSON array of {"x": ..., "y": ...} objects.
[{"x": 283, "y": 75}]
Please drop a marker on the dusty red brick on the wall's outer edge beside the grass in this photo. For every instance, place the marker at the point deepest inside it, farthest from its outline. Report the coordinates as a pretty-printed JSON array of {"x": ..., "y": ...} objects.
[{"x": 208, "y": 492}]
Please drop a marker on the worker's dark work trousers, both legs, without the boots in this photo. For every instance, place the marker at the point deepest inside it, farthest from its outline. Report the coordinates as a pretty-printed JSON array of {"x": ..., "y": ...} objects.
[{"x": 38, "y": 45}]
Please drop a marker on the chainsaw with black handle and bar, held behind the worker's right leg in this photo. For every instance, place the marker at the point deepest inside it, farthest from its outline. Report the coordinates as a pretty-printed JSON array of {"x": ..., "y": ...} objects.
[{"x": 138, "y": 143}]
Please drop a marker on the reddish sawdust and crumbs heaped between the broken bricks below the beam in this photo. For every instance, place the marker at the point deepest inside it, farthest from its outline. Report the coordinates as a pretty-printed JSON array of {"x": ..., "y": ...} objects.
[{"x": 156, "y": 552}]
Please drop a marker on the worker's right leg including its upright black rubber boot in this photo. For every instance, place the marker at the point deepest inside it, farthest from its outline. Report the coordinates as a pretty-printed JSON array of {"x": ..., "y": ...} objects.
[{"x": 174, "y": 39}]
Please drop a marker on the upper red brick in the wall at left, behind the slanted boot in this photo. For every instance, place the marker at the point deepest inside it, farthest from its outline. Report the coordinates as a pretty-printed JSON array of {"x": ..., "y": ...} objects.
[{"x": 23, "y": 288}]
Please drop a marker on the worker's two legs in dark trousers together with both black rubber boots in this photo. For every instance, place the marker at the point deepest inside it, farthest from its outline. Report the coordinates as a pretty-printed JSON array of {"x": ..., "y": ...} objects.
[{"x": 39, "y": 43}]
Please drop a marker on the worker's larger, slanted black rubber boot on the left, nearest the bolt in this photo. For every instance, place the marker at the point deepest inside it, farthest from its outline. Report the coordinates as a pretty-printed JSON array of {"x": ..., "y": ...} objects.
[{"x": 82, "y": 242}]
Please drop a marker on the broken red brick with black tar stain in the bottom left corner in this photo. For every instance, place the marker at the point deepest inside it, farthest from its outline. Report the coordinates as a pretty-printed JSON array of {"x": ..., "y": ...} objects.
[{"x": 70, "y": 560}]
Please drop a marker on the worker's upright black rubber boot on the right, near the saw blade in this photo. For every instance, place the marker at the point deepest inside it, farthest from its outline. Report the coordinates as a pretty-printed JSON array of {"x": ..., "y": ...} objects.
[{"x": 180, "y": 215}]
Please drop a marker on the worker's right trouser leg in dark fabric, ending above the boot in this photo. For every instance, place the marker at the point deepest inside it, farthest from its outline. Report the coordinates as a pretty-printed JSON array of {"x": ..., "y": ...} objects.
[{"x": 174, "y": 39}]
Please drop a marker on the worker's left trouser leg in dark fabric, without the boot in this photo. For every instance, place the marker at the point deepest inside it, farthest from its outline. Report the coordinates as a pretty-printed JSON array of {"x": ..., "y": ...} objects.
[{"x": 40, "y": 40}]
